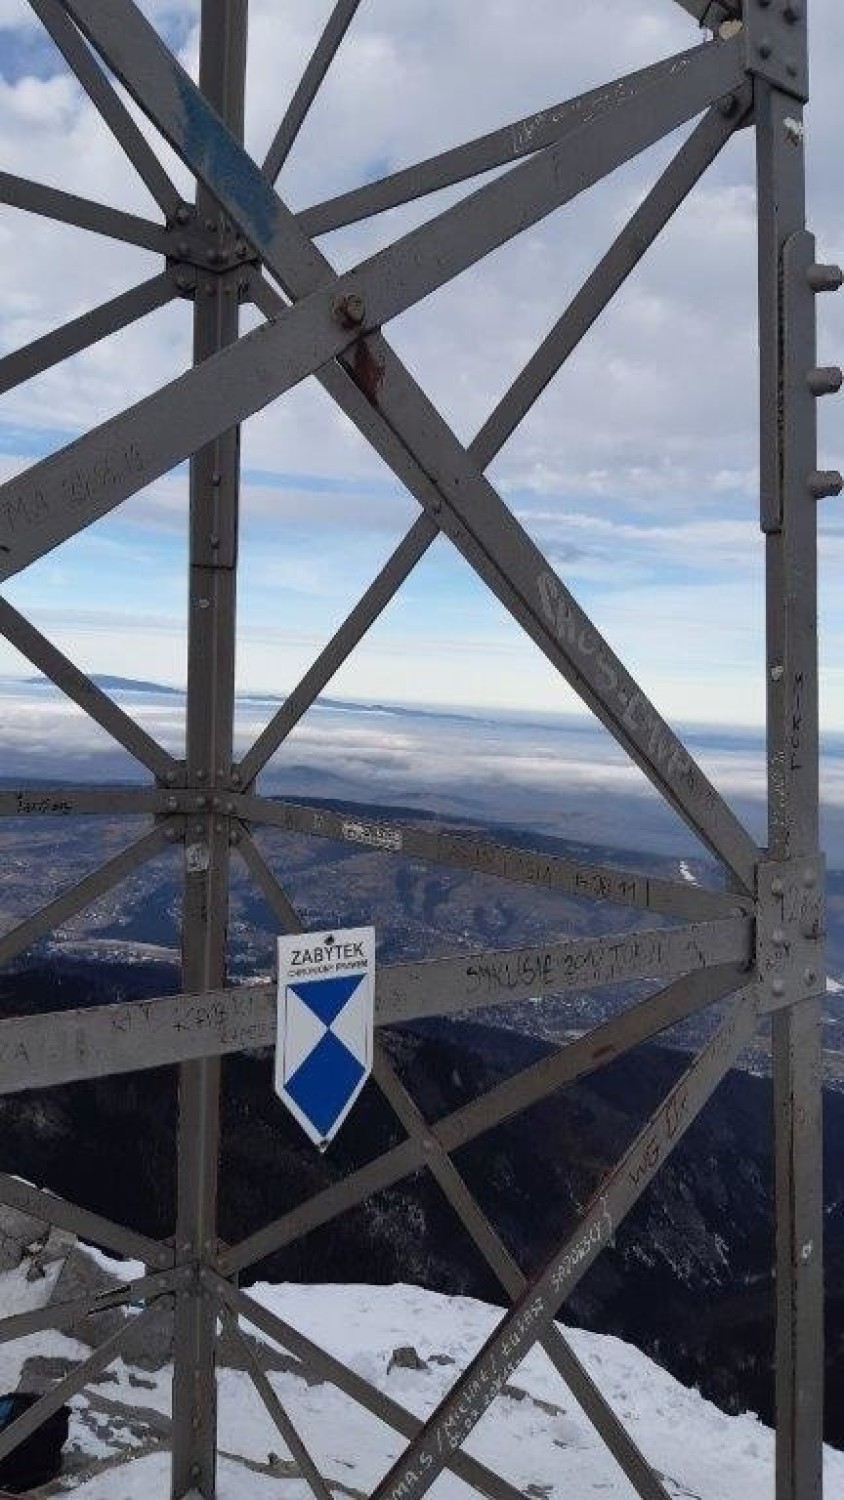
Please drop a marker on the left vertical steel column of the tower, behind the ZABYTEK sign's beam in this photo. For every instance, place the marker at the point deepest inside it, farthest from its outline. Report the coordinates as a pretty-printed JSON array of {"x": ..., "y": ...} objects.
[{"x": 215, "y": 478}]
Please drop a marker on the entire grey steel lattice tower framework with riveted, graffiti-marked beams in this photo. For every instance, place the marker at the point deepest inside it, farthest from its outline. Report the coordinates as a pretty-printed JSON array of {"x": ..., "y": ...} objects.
[{"x": 756, "y": 946}]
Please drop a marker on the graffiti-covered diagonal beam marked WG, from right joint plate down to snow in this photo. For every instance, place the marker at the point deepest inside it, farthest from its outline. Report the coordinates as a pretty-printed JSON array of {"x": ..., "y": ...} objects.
[{"x": 534, "y": 1312}]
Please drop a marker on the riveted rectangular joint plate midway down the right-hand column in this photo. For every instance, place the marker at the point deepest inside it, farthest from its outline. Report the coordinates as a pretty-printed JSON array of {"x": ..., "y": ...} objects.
[{"x": 791, "y": 932}]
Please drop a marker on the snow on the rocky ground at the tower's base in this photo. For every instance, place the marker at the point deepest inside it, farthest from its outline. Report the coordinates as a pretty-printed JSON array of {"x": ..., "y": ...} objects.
[{"x": 534, "y": 1435}]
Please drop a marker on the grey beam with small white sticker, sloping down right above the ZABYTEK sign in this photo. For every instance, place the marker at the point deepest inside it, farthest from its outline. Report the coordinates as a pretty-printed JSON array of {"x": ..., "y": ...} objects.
[{"x": 465, "y": 851}]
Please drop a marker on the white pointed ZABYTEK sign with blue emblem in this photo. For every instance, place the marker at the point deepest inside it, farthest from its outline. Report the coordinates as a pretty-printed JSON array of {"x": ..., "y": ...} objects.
[{"x": 325, "y": 1043}]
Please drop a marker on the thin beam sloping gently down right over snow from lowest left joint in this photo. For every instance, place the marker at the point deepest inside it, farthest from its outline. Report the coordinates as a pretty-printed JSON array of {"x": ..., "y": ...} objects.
[{"x": 353, "y": 1385}]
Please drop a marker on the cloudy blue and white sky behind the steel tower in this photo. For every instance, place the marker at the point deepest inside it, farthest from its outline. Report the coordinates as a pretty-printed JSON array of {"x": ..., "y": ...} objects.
[{"x": 636, "y": 472}]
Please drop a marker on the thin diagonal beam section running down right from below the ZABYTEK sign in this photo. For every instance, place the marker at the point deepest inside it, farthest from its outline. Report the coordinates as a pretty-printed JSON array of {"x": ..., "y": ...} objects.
[{"x": 512, "y": 1279}]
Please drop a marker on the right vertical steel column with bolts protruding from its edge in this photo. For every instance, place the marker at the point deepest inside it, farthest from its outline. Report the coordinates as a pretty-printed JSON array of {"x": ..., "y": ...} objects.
[{"x": 791, "y": 524}]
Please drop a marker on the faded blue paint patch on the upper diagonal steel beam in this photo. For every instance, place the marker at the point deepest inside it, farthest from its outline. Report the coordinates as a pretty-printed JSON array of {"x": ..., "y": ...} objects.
[{"x": 230, "y": 173}]
